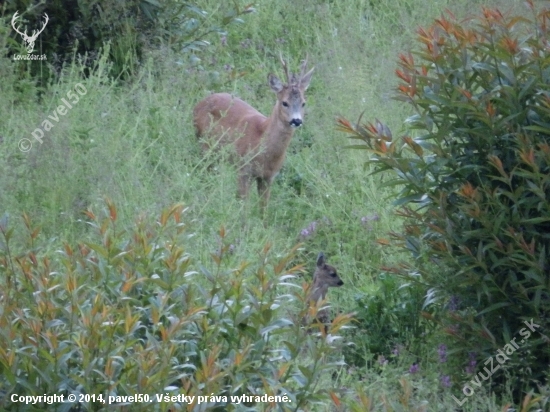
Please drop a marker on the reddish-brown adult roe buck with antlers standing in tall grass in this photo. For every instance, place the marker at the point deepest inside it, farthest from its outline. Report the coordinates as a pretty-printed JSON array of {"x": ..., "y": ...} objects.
[{"x": 260, "y": 141}]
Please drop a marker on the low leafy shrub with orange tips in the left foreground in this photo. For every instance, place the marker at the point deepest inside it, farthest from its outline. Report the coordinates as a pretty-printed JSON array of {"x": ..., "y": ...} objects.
[{"x": 131, "y": 313}]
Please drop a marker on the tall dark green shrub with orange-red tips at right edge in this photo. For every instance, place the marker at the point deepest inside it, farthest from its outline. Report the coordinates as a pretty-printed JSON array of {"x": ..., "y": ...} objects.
[{"x": 475, "y": 181}]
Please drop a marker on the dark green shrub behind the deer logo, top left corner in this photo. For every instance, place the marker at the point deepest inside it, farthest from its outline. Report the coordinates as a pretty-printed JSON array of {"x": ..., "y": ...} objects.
[{"x": 130, "y": 25}]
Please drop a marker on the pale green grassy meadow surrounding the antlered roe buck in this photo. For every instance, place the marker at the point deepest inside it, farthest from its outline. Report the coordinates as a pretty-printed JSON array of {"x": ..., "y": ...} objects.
[{"x": 132, "y": 142}]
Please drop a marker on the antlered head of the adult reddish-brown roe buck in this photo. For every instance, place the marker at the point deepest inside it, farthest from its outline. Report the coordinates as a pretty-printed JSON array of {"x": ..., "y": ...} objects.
[{"x": 290, "y": 96}]
